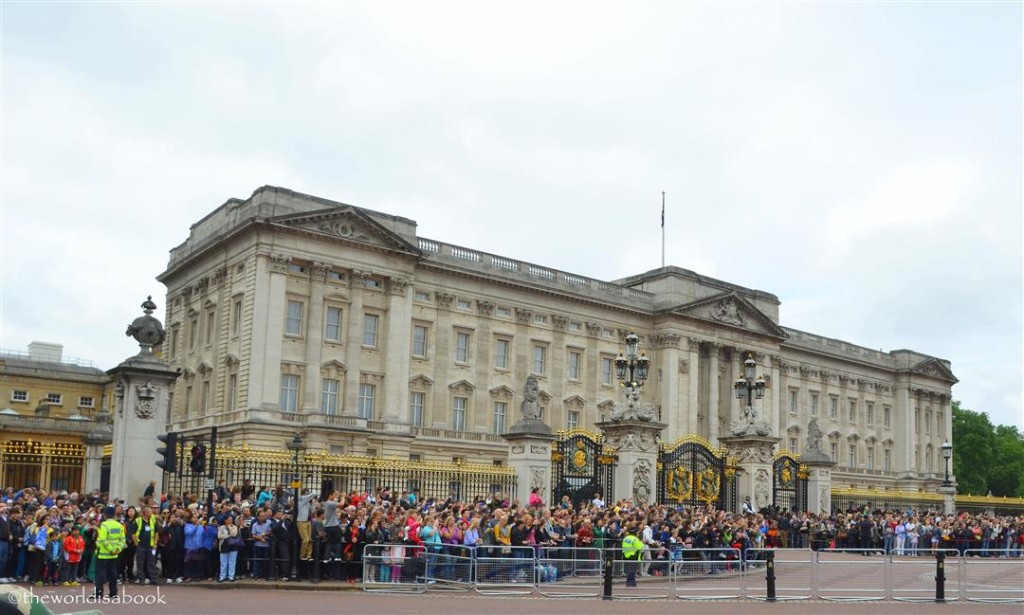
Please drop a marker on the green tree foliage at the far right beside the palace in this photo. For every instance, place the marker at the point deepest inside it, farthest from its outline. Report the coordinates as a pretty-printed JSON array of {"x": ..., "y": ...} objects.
[{"x": 987, "y": 458}]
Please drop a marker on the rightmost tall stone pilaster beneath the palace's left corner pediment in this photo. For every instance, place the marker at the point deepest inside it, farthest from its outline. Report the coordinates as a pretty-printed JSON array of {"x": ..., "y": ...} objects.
[{"x": 399, "y": 338}]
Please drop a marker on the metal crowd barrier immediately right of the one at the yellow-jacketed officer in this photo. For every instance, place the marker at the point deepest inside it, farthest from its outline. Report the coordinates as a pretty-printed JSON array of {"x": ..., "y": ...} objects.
[{"x": 708, "y": 575}]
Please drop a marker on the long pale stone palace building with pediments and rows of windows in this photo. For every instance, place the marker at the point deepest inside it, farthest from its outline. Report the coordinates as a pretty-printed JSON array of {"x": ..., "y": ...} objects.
[{"x": 288, "y": 314}]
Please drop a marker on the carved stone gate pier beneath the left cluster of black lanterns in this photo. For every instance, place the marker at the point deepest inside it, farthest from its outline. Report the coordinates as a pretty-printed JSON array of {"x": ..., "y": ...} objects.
[{"x": 636, "y": 470}]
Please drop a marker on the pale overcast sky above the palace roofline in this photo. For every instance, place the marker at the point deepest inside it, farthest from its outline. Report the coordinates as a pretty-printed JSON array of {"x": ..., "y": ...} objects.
[{"x": 863, "y": 162}]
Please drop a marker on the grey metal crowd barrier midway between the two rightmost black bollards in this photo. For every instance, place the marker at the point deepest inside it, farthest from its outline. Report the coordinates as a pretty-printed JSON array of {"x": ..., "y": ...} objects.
[{"x": 842, "y": 576}]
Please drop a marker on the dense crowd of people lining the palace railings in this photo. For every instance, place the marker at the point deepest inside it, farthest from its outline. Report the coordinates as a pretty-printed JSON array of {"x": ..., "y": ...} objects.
[{"x": 61, "y": 539}]
